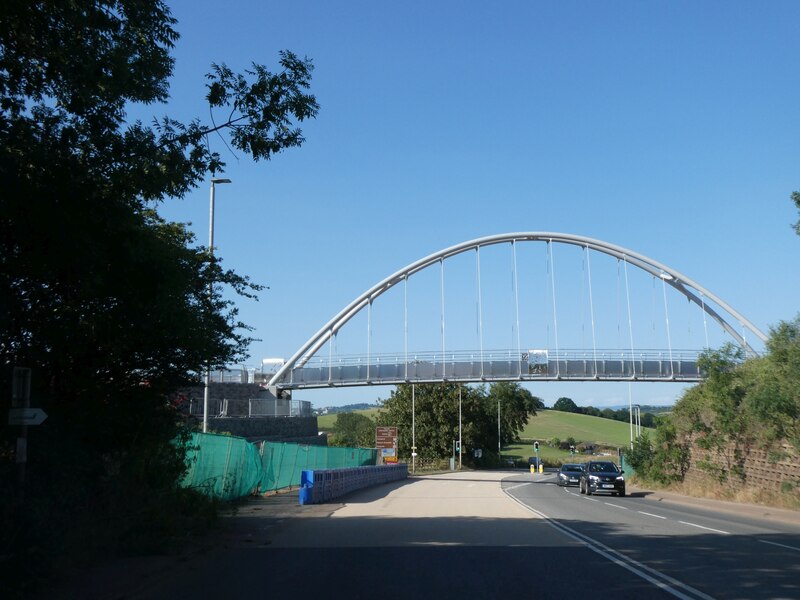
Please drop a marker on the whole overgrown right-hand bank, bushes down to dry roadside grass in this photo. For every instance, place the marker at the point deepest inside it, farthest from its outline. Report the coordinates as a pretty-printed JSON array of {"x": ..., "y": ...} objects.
[{"x": 744, "y": 405}]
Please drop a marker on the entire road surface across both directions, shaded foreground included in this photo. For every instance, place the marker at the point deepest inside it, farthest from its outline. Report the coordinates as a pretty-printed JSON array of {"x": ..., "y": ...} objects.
[{"x": 468, "y": 535}]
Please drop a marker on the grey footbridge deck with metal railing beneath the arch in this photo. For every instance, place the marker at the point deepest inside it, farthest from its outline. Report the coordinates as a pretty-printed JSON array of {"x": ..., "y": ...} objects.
[{"x": 496, "y": 365}]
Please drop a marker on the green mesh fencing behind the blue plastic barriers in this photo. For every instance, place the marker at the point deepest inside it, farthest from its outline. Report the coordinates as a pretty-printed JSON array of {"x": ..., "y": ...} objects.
[{"x": 230, "y": 467}]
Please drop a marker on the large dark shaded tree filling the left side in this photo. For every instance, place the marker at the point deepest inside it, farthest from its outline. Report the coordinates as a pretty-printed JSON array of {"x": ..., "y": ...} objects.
[{"x": 109, "y": 305}]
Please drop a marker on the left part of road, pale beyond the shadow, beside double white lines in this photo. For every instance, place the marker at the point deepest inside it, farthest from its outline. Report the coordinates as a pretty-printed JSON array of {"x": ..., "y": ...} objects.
[{"x": 457, "y": 535}]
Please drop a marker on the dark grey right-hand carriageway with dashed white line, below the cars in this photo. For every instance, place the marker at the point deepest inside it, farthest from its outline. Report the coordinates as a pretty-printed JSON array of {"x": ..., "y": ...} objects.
[{"x": 695, "y": 550}]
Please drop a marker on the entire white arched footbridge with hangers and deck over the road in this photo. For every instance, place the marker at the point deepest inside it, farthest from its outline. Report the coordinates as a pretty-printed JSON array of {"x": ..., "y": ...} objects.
[{"x": 311, "y": 367}]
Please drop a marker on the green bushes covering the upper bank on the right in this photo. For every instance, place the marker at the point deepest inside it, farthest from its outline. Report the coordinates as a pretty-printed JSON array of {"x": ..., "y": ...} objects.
[{"x": 743, "y": 403}]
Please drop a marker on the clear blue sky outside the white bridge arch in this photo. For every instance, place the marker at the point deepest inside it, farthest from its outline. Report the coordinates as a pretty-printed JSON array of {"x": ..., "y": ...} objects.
[{"x": 670, "y": 128}]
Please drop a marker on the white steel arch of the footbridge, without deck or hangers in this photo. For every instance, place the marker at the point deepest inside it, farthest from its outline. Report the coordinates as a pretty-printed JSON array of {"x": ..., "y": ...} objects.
[{"x": 686, "y": 286}]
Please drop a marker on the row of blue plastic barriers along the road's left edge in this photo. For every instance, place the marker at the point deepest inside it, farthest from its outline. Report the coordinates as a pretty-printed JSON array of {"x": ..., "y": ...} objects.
[{"x": 320, "y": 486}]
